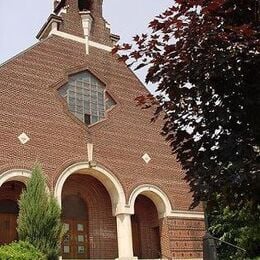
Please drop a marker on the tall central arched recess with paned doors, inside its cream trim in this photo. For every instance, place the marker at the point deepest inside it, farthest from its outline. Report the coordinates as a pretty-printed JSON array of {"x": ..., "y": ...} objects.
[{"x": 87, "y": 214}]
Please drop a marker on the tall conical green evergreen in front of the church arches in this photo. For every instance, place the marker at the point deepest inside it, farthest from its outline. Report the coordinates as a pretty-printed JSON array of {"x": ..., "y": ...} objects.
[{"x": 39, "y": 217}]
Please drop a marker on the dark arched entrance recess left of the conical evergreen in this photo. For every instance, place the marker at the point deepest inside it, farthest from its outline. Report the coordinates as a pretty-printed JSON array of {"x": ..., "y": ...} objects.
[{"x": 9, "y": 194}]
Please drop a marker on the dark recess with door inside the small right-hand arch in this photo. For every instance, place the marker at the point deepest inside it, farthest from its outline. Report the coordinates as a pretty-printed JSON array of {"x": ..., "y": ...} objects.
[{"x": 145, "y": 229}]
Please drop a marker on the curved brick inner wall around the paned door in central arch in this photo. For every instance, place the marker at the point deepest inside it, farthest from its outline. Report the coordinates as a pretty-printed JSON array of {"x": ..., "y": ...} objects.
[{"x": 101, "y": 223}]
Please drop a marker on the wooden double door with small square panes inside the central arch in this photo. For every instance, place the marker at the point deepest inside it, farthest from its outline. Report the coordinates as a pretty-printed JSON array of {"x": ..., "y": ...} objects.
[{"x": 75, "y": 243}]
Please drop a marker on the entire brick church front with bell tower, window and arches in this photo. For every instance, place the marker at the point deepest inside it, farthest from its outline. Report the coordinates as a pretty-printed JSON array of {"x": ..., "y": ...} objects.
[{"x": 67, "y": 103}]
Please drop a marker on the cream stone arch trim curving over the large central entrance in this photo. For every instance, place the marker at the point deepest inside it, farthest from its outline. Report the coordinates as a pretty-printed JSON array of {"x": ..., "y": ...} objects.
[{"x": 110, "y": 182}]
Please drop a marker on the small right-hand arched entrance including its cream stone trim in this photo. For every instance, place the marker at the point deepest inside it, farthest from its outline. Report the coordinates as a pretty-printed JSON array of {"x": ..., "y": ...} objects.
[{"x": 149, "y": 205}]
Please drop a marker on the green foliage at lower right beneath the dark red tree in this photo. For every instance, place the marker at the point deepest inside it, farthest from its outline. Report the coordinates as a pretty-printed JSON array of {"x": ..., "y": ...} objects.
[{"x": 240, "y": 227}]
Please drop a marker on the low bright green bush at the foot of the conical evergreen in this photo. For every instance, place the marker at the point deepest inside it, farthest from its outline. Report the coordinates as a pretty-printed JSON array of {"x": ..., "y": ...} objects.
[{"x": 20, "y": 251}]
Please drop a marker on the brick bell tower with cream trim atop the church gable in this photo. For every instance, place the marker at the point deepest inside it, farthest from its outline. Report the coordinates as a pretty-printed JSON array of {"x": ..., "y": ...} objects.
[{"x": 79, "y": 18}]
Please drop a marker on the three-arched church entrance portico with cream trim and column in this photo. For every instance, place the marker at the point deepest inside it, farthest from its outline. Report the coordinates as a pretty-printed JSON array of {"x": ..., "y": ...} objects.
[{"x": 101, "y": 223}]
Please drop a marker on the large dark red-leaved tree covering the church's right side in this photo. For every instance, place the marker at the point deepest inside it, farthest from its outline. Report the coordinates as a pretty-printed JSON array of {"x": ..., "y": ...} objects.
[{"x": 204, "y": 56}]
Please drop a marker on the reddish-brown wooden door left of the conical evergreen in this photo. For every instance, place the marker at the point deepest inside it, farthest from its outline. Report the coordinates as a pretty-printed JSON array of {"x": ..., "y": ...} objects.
[{"x": 8, "y": 224}]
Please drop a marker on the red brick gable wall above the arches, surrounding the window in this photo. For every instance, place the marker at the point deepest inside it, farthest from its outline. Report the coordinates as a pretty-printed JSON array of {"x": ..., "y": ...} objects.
[{"x": 30, "y": 103}]
